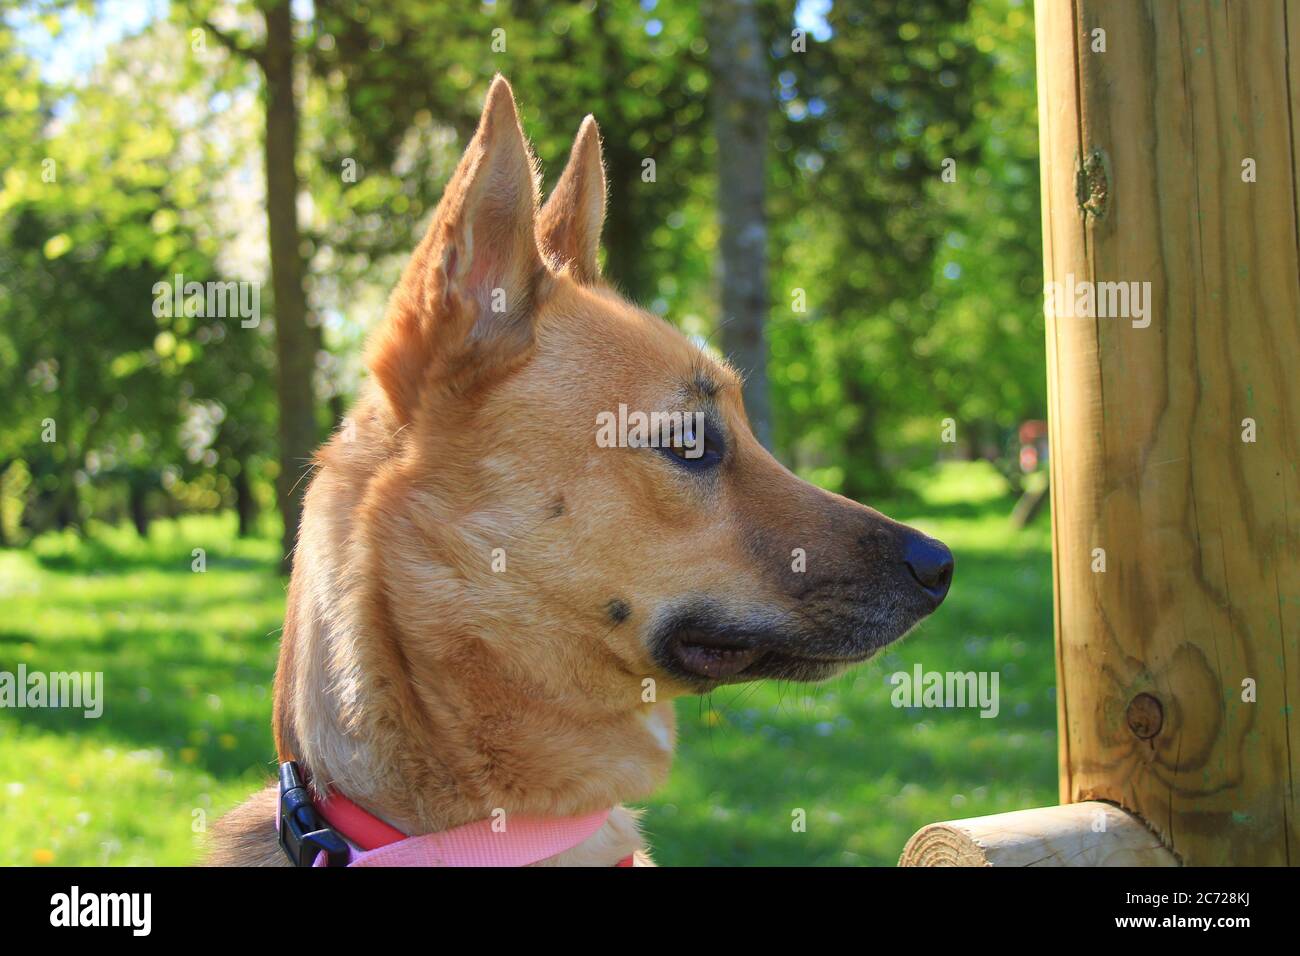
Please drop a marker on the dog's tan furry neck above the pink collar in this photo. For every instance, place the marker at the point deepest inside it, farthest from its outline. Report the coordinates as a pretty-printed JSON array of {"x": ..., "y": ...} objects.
[{"x": 434, "y": 734}]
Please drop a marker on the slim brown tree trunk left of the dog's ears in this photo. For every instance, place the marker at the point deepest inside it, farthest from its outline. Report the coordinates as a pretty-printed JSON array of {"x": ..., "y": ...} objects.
[{"x": 294, "y": 340}]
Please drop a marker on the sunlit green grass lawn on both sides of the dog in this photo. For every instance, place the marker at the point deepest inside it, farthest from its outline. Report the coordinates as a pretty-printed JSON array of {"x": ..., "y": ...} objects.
[{"x": 189, "y": 659}]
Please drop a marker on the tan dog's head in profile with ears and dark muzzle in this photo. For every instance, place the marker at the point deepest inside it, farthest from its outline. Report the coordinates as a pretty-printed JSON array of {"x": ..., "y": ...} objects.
[{"x": 522, "y": 509}]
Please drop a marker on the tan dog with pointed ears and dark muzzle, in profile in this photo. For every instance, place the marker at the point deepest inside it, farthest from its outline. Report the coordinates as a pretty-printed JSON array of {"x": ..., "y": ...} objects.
[{"x": 491, "y": 613}]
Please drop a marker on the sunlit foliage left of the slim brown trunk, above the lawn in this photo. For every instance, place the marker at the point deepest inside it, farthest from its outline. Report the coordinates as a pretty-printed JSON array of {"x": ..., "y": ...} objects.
[{"x": 99, "y": 207}]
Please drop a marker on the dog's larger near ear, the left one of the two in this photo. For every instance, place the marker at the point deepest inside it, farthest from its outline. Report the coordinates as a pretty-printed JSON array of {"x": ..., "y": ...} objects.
[{"x": 465, "y": 305}]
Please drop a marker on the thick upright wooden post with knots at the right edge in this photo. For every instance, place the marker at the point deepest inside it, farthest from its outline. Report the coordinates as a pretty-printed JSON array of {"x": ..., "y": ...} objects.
[{"x": 1169, "y": 155}]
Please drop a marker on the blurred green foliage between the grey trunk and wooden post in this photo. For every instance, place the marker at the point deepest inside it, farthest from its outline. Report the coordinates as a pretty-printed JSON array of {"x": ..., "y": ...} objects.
[{"x": 921, "y": 293}]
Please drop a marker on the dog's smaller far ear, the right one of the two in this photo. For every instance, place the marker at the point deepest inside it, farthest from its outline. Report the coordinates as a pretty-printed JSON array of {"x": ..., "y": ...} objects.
[{"x": 569, "y": 231}]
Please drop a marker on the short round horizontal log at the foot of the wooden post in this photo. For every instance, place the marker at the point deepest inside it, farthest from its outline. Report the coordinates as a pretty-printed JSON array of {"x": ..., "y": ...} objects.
[{"x": 1087, "y": 834}]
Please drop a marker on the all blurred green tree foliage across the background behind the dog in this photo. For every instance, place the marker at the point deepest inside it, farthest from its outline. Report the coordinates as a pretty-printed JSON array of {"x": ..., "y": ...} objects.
[{"x": 921, "y": 295}]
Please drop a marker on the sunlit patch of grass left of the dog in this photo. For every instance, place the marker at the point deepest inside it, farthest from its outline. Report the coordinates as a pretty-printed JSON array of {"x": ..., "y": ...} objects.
[{"x": 188, "y": 660}]
